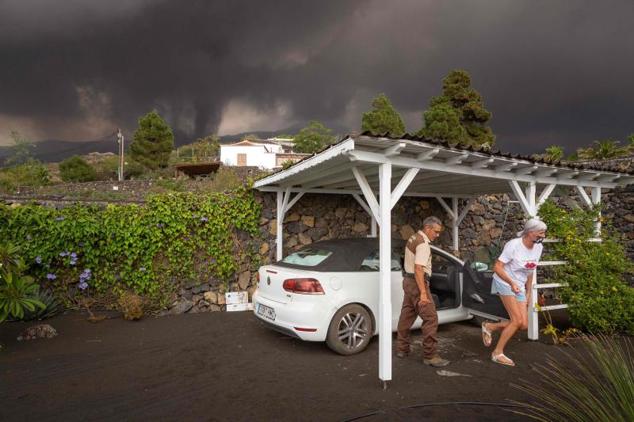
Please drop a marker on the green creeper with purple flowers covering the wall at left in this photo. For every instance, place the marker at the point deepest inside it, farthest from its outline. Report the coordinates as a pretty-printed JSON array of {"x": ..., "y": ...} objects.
[{"x": 86, "y": 250}]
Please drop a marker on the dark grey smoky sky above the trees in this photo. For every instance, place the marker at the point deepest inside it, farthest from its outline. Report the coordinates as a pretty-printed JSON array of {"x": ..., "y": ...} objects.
[{"x": 551, "y": 72}]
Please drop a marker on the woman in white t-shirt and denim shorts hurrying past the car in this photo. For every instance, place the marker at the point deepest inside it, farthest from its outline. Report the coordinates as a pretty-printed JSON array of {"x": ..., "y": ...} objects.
[{"x": 512, "y": 281}]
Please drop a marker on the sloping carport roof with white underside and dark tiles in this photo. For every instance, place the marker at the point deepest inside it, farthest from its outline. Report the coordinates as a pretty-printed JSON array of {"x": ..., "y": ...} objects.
[{"x": 444, "y": 169}]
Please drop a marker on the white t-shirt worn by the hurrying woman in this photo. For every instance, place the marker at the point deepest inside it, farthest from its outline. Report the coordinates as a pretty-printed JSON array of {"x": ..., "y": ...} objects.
[{"x": 519, "y": 261}]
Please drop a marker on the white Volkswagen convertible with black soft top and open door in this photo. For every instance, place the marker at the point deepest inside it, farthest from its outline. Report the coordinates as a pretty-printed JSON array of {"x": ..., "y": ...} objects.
[{"x": 329, "y": 291}]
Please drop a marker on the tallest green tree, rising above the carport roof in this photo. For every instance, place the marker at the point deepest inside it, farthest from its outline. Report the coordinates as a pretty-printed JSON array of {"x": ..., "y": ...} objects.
[{"x": 458, "y": 115}]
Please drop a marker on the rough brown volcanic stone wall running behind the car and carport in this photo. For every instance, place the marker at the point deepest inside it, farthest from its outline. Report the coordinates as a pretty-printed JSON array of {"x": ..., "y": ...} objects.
[{"x": 491, "y": 219}]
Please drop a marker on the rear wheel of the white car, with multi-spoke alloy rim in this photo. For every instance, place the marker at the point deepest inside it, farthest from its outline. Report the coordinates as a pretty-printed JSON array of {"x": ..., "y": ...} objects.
[{"x": 350, "y": 330}]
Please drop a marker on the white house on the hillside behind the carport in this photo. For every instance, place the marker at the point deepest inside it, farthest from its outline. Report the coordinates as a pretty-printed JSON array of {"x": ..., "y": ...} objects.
[{"x": 266, "y": 154}]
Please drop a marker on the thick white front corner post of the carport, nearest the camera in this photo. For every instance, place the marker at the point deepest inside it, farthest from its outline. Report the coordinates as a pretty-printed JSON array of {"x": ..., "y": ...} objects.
[{"x": 385, "y": 249}]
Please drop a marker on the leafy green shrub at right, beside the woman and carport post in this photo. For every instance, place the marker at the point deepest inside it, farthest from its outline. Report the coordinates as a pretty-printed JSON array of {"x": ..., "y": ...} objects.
[{"x": 599, "y": 298}]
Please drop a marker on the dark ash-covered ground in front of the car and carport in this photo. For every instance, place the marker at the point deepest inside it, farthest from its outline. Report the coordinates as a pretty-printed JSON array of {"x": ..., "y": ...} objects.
[{"x": 225, "y": 366}]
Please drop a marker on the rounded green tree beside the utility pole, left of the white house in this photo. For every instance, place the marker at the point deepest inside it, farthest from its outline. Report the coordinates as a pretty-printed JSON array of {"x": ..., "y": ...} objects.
[{"x": 153, "y": 141}]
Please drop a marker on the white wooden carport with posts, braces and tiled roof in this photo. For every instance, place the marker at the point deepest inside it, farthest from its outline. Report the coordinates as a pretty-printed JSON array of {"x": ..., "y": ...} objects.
[{"x": 378, "y": 171}]
